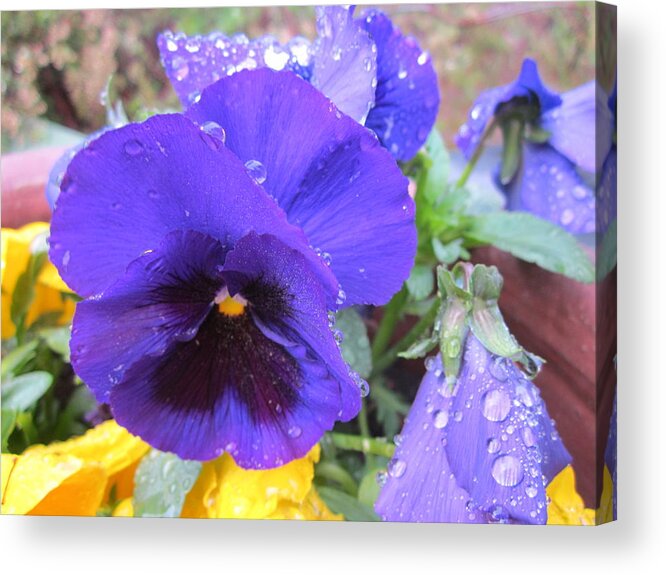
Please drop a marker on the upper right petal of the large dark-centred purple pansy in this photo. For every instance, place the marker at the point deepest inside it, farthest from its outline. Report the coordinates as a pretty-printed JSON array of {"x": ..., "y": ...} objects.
[{"x": 328, "y": 173}]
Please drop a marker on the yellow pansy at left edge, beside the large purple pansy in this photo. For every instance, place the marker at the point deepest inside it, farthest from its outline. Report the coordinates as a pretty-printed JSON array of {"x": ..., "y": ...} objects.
[{"x": 16, "y": 252}]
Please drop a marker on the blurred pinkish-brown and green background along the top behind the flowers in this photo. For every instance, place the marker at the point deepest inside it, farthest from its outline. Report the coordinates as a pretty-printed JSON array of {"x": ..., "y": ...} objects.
[{"x": 55, "y": 64}]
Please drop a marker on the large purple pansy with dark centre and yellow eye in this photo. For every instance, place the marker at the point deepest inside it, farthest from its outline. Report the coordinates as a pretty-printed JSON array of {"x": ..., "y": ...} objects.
[{"x": 211, "y": 248}]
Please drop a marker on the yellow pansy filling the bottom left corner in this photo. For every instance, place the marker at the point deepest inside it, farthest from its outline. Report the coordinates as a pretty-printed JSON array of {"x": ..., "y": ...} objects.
[{"x": 72, "y": 477}]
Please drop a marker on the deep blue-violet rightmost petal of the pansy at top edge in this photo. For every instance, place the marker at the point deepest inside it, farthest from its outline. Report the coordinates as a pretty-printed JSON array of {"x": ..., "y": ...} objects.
[{"x": 407, "y": 98}]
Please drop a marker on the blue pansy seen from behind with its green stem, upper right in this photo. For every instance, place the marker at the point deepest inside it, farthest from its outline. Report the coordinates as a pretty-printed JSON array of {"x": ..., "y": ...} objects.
[{"x": 548, "y": 137}]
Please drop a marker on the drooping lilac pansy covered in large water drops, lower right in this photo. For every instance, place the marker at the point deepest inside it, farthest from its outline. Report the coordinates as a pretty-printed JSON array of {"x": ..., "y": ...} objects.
[{"x": 481, "y": 452}]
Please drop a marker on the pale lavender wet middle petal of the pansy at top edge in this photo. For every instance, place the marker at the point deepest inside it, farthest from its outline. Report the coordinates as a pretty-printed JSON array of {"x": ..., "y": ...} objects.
[{"x": 345, "y": 62}]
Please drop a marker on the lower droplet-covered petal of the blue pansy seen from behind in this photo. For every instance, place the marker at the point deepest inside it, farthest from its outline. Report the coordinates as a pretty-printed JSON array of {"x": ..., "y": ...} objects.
[{"x": 549, "y": 186}]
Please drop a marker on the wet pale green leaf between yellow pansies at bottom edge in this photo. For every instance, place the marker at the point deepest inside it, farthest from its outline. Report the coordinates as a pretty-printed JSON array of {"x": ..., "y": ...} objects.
[{"x": 162, "y": 481}]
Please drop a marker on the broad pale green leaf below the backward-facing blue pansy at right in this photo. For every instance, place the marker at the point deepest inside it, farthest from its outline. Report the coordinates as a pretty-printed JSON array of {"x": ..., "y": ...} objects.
[{"x": 533, "y": 240}]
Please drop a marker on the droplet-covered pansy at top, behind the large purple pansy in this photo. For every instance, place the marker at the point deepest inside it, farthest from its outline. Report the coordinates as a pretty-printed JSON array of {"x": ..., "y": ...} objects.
[{"x": 366, "y": 66}]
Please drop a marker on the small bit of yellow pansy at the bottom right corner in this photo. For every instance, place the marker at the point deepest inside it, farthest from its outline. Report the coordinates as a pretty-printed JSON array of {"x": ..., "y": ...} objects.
[{"x": 566, "y": 506}]
